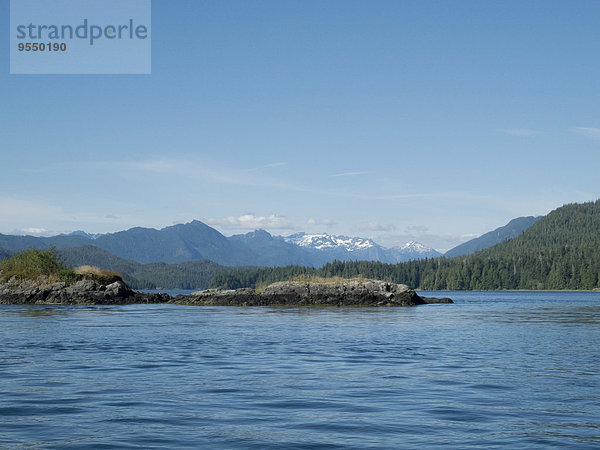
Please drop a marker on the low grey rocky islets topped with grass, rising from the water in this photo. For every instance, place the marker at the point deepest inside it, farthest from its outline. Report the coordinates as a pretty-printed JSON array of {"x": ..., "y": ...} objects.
[{"x": 292, "y": 293}]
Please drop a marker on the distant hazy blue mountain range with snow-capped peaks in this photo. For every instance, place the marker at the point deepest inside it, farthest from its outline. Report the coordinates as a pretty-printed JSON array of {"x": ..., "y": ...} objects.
[{"x": 197, "y": 241}]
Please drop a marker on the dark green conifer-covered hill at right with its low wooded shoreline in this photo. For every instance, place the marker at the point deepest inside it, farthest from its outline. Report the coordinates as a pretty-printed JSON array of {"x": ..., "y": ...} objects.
[{"x": 560, "y": 251}]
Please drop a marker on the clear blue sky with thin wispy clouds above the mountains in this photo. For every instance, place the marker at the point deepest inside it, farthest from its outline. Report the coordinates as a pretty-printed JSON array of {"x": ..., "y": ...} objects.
[{"x": 434, "y": 121}]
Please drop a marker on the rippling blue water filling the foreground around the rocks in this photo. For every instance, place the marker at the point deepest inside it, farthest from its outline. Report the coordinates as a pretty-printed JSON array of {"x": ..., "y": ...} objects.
[{"x": 514, "y": 370}]
